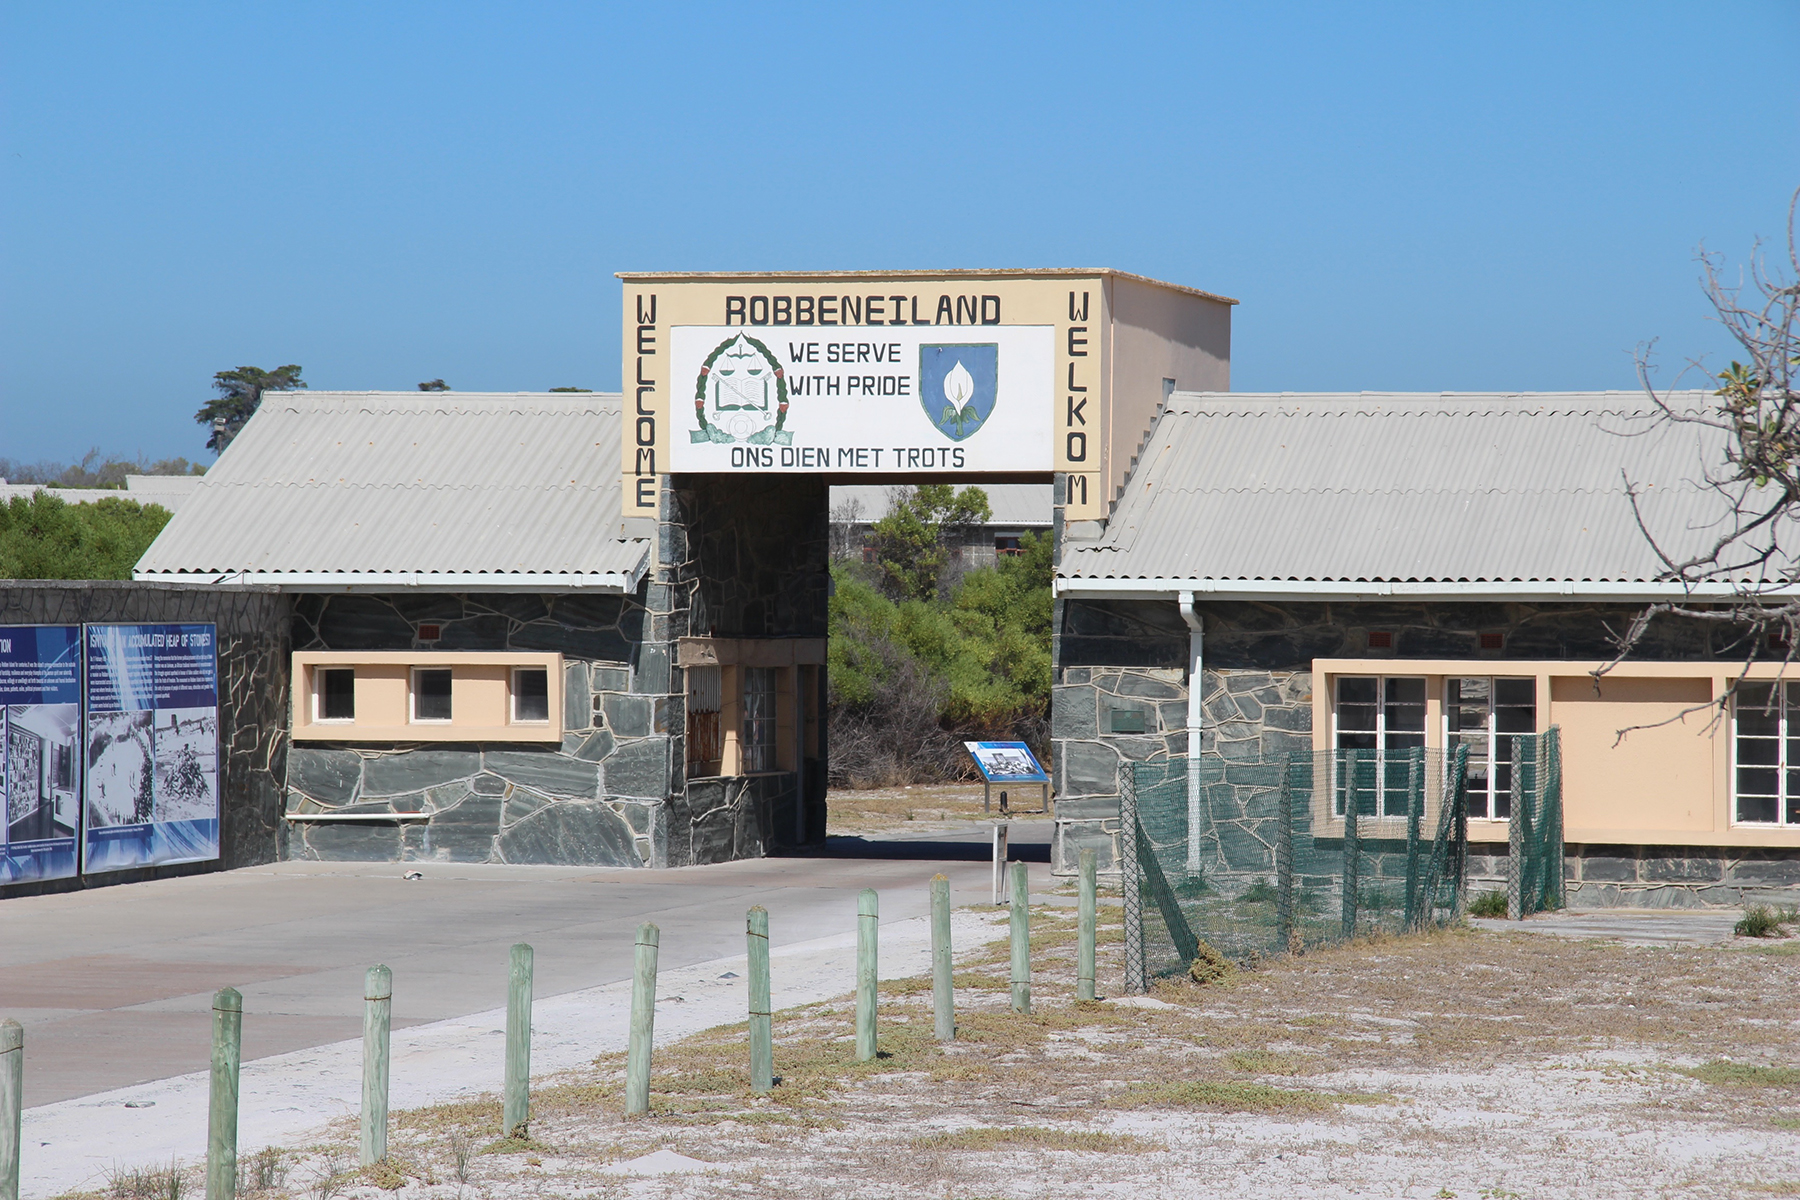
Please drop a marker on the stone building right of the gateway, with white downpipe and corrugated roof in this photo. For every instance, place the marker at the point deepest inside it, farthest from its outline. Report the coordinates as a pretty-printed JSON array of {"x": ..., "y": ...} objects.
[{"x": 1417, "y": 569}]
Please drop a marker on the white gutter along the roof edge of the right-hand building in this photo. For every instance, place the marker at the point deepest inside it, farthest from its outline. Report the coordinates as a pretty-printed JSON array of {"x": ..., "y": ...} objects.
[{"x": 1450, "y": 591}]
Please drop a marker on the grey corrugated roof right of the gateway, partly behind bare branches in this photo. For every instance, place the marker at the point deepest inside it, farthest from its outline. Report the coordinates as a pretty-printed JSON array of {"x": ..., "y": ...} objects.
[{"x": 1385, "y": 487}]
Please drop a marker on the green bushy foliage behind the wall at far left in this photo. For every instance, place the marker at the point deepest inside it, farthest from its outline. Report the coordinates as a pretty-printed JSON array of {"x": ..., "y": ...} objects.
[{"x": 48, "y": 539}]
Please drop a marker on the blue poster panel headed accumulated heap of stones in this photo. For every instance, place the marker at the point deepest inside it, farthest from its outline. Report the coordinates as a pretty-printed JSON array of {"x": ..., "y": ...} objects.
[{"x": 152, "y": 746}]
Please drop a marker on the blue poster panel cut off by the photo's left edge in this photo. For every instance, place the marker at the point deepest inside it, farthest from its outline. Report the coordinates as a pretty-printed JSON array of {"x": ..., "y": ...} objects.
[{"x": 40, "y": 730}]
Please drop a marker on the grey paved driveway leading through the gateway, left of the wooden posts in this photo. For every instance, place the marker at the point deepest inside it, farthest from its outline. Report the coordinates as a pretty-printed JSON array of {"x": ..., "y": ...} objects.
[{"x": 114, "y": 985}]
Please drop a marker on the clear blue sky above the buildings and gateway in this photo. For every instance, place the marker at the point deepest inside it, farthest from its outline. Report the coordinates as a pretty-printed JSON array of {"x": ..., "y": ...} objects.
[{"x": 1403, "y": 197}]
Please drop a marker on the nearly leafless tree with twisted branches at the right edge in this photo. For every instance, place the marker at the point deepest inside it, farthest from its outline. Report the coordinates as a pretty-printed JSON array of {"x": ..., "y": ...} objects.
[{"x": 1754, "y": 492}]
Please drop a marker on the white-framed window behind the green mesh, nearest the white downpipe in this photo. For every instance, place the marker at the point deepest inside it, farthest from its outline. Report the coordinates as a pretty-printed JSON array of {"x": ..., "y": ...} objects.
[{"x": 1378, "y": 724}]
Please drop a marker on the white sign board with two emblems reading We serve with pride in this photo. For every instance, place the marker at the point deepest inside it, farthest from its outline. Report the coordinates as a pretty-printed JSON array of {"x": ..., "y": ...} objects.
[{"x": 885, "y": 400}]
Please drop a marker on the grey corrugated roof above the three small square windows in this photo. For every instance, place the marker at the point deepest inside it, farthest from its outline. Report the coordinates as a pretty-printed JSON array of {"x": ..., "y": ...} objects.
[{"x": 400, "y": 483}]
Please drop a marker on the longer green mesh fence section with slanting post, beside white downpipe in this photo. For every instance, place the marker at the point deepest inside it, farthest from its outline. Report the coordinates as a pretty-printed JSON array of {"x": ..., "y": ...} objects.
[{"x": 1261, "y": 859}]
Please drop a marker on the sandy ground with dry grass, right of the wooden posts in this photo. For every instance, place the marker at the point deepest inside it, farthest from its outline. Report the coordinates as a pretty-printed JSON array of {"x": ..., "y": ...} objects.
[{"x": 1457, "y": 1064}]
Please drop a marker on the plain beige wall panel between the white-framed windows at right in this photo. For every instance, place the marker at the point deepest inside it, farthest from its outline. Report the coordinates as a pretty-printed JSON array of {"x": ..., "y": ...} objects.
[{"x": 1657, "y": 780}]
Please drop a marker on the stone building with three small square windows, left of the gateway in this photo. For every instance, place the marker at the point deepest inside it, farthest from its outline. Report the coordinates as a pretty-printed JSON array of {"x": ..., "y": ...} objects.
[{"x": 485, "y": 663}]
